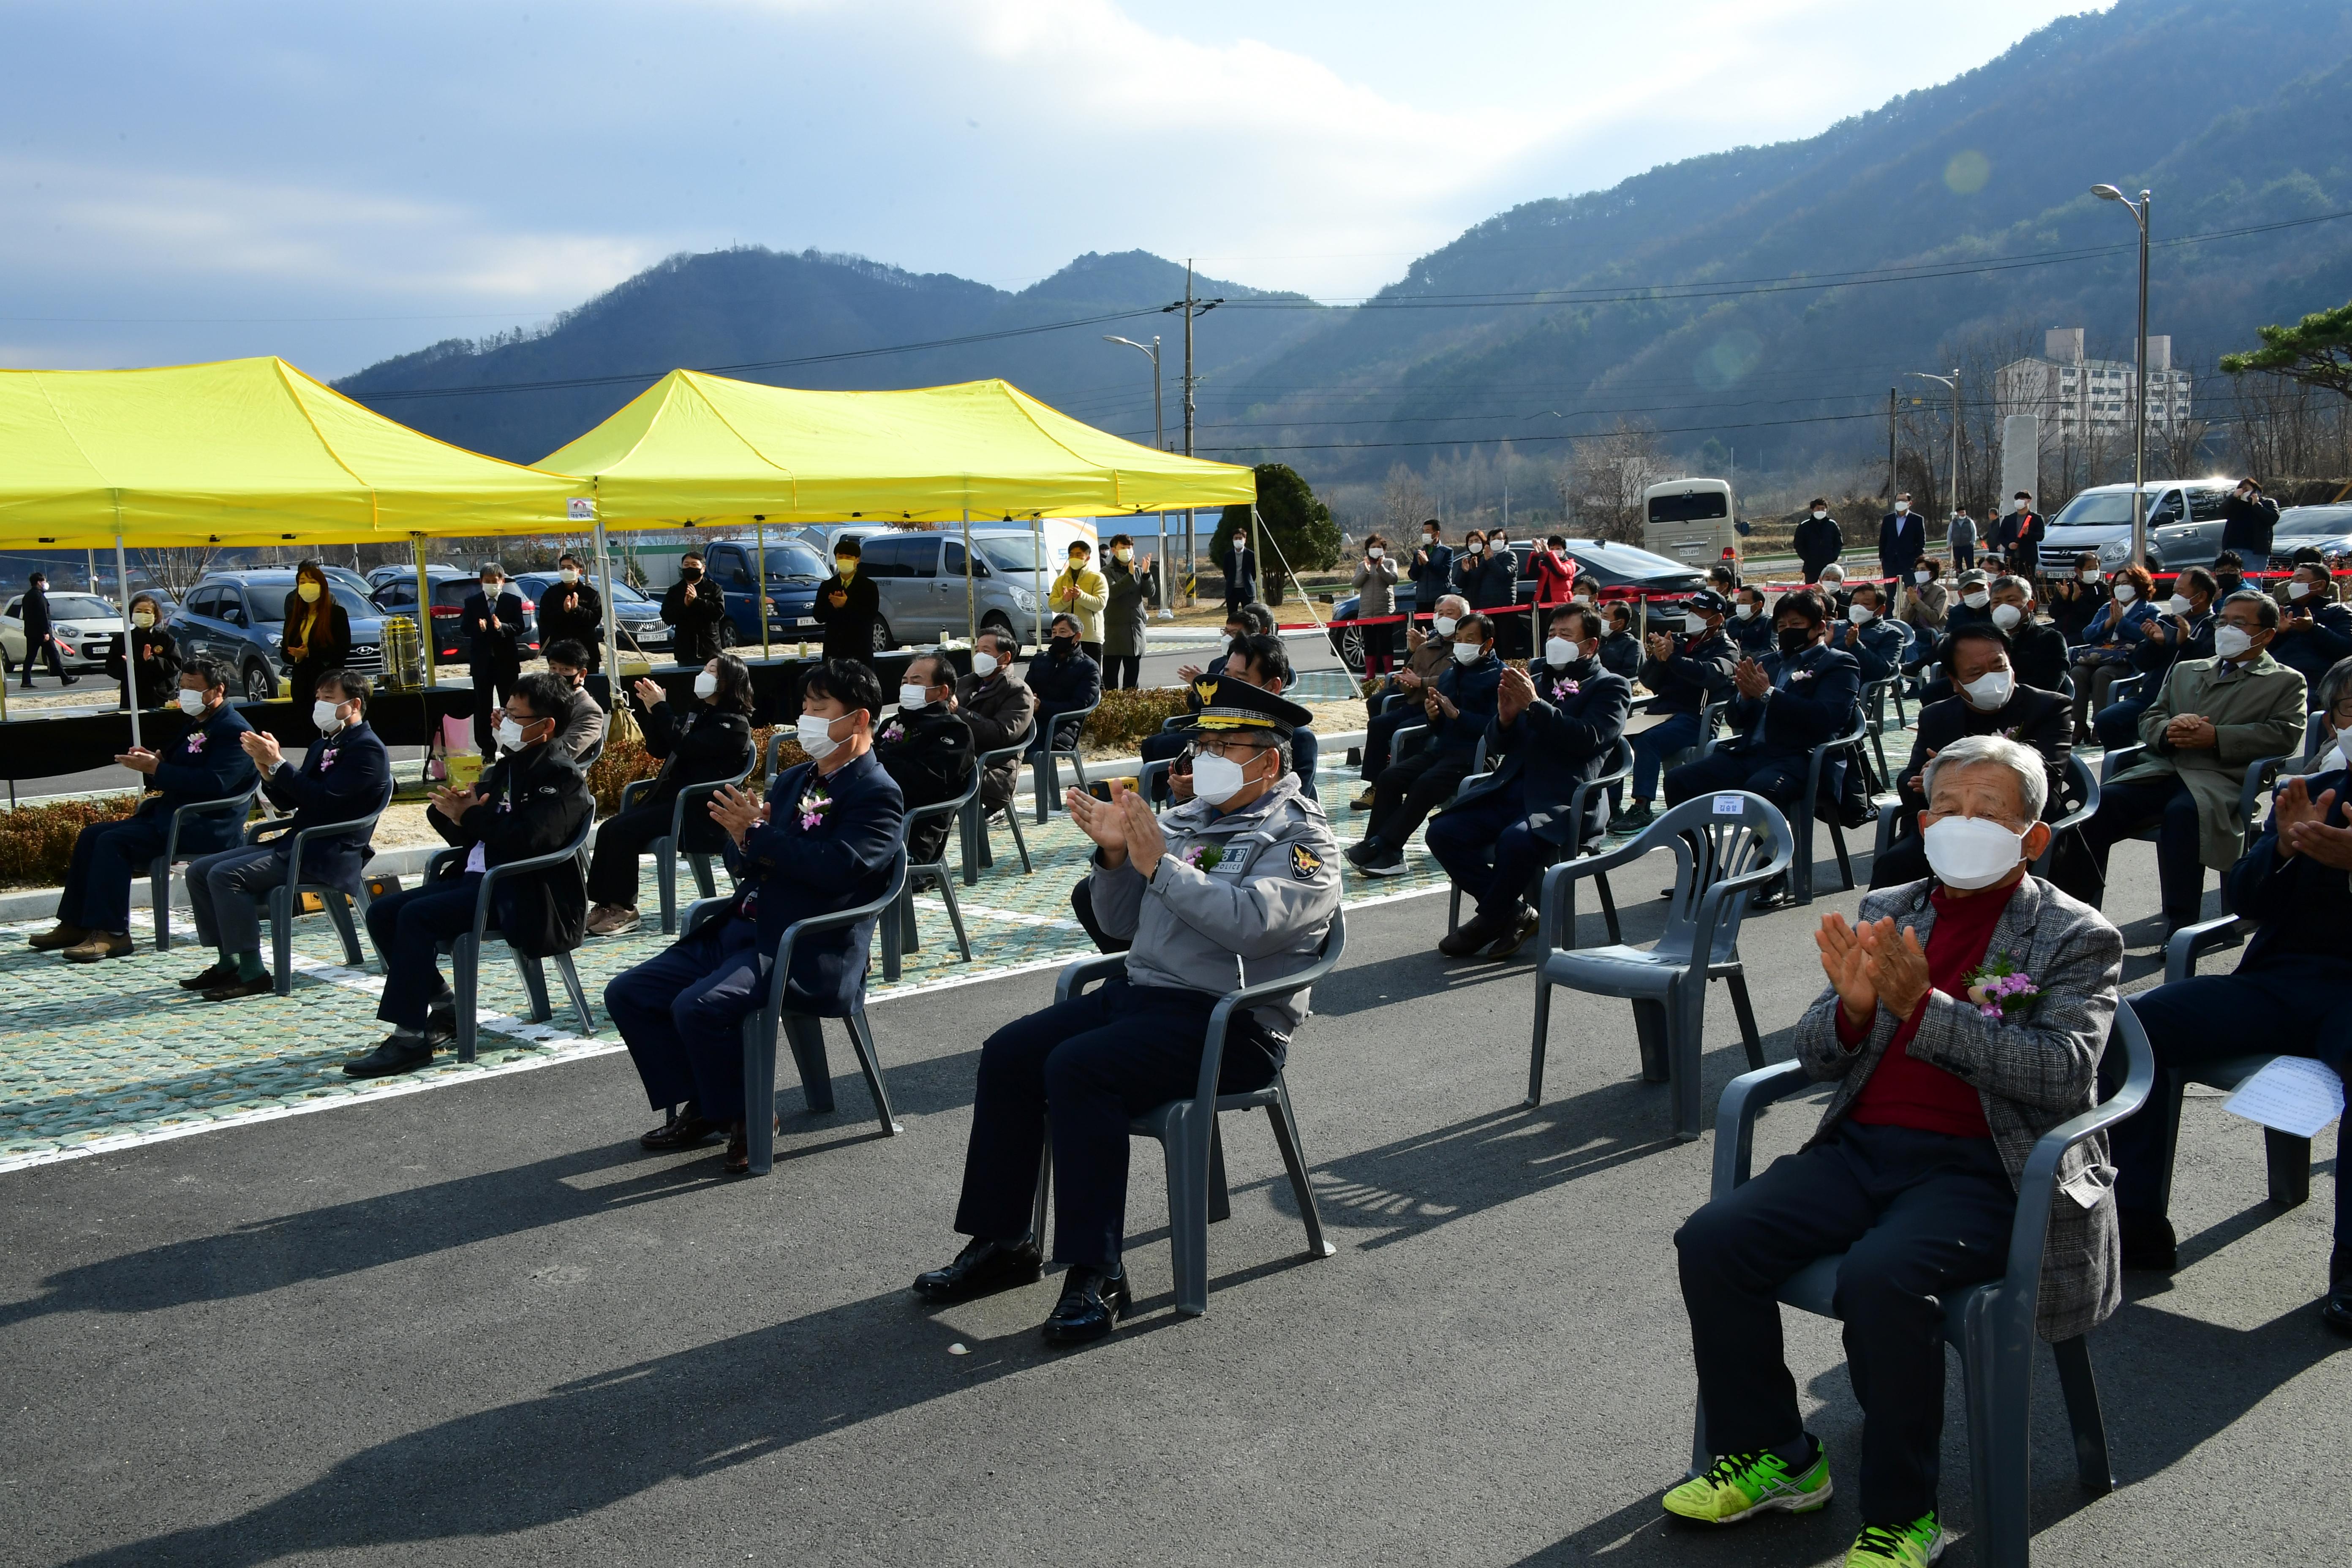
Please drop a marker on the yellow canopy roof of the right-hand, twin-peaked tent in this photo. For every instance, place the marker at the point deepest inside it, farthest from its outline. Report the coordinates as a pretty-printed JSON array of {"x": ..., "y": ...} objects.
[{"x": 700, "y": 448}]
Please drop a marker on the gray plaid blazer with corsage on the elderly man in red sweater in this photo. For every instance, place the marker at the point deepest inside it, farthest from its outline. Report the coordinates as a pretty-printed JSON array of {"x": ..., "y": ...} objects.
[{"x": 2031, "y": 1076}]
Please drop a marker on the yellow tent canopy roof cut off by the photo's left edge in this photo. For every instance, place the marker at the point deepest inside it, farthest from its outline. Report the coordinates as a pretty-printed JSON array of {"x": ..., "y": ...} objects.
[{"x": 241, "y": 453}]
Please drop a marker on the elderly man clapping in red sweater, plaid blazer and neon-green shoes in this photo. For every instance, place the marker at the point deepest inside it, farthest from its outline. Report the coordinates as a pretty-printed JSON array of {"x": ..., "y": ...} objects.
[{"x": 1965, "y": 1019}]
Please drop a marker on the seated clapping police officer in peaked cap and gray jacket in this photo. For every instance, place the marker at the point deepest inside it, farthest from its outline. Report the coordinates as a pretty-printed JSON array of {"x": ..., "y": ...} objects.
[{"x": 1229, "y": 890}]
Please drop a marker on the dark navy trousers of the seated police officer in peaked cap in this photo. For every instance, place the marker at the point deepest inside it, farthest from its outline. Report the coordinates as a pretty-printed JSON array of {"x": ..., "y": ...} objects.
[{"x": 1095, "y": 1064}]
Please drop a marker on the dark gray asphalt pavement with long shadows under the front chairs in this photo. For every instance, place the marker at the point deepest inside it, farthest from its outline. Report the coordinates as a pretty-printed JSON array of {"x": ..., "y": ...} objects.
[{"x": 479, "y": 1327}]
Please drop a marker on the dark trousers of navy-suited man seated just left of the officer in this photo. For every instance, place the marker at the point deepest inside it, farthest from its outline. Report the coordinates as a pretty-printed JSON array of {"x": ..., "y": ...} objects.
[{"x": 683, "y": 1017}]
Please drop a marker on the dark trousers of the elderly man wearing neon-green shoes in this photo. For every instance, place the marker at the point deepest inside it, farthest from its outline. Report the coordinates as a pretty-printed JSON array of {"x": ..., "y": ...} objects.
[{"x": 1918, "y": 1217}]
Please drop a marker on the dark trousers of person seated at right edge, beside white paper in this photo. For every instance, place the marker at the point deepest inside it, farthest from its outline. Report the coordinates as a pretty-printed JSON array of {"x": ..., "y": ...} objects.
[{"x": 2304, "y": 1005}]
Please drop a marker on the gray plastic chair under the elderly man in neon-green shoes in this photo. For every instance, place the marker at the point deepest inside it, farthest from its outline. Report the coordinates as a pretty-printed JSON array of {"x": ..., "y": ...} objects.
[{"x": 1991, "y": 1325}]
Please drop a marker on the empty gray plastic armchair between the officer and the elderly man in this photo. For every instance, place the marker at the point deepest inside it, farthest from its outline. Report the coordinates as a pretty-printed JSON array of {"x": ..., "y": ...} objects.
[{"x": 1723, "y": 847}]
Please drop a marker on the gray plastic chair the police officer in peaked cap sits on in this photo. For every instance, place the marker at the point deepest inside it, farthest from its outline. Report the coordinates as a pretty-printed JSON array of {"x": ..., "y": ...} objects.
[{"x": 1187, "y": 1130}]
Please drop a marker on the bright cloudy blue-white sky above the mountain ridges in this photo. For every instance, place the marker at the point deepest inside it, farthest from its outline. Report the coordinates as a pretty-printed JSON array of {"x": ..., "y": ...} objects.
[{"x": 342, "y": 182}]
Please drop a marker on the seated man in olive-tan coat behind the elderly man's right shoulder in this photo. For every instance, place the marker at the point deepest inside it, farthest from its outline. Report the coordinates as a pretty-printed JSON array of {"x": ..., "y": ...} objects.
[{"x": 2205, "y": 730}]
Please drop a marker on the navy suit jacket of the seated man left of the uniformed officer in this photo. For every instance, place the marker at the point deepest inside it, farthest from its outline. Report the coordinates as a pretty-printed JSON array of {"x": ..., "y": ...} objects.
[{"x": 794, "y": 869}]
